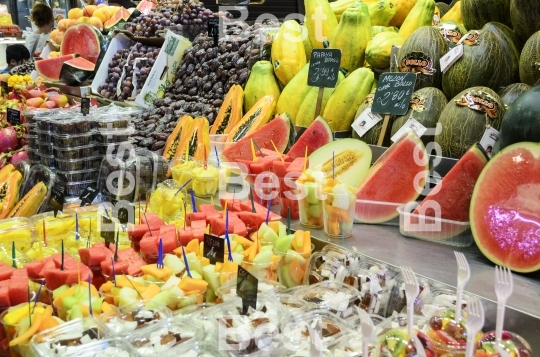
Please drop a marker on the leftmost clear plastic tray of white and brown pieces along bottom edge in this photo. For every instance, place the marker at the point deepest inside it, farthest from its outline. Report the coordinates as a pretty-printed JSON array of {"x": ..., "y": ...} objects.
[{"x": 87, "y": 330}]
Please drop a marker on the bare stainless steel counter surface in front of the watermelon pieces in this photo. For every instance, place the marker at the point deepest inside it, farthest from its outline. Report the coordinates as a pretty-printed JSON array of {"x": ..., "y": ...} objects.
[{"x": 437, "y": 264}]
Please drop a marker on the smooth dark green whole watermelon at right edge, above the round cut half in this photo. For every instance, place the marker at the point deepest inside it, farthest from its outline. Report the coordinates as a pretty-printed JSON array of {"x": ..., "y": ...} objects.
[{"x": 522, "y": 120}]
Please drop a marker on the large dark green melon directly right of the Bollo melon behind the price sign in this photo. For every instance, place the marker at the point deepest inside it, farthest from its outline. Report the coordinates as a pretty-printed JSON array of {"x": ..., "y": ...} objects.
[{"x": 482, "y": 64}]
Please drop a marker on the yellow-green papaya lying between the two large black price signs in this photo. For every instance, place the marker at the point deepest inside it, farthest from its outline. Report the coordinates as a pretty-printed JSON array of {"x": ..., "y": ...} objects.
[{"x": 341, "y": 108}]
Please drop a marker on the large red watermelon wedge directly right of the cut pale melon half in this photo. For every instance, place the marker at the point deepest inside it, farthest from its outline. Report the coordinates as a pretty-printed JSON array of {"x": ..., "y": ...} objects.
[{"x": 398, "y": 177}]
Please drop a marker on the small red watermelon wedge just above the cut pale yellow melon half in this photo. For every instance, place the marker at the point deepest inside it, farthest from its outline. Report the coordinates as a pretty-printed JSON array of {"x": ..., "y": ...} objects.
[{"x": 316, "y": 135}]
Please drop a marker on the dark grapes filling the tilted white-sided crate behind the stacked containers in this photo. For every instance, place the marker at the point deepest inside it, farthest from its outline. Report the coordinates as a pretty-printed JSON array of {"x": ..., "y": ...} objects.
[{"x": 123, "y": 60}]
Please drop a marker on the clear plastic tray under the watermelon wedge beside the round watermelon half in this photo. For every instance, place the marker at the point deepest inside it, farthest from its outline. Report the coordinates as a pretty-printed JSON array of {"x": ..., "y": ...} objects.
[{"x": 438, "y": 230}]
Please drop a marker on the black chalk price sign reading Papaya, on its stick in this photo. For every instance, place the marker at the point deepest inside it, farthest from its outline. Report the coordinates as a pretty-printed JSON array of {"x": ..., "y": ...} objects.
[{"x": 323, "y": 72}]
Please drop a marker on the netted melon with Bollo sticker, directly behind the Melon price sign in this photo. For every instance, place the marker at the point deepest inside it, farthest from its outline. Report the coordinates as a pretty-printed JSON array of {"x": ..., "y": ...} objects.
[{"x": 421, "y": 54}]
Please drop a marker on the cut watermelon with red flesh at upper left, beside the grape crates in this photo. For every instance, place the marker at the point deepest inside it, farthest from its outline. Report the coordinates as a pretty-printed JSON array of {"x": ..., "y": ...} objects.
[{"x": 82, "y": 39}]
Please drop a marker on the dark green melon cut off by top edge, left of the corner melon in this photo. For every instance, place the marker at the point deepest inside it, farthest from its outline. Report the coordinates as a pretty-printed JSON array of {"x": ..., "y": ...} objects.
[{"x": 477, "y": 13}]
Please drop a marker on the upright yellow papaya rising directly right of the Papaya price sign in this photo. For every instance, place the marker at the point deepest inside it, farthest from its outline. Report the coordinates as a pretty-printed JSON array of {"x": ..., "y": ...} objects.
[{"x": 352, "y": 36}]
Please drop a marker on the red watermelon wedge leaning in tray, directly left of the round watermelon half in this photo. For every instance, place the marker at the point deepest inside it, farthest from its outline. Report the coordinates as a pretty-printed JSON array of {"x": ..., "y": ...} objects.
[{"x": 453, "y": 193}]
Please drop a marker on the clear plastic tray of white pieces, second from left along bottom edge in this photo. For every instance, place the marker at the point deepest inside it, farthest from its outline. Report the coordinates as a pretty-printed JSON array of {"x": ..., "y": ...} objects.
[{"x": 166, "y": 338}]
